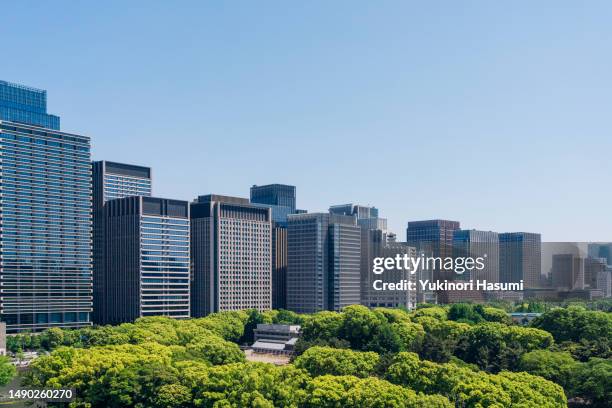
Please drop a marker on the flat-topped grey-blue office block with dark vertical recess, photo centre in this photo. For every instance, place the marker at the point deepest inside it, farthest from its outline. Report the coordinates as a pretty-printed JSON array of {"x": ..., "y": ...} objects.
[{"x": 323, "y": 262}]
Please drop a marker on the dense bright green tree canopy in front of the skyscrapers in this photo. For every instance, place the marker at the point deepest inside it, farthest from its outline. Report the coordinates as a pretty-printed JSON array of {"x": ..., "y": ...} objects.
[{"x": 464, "y": 355}]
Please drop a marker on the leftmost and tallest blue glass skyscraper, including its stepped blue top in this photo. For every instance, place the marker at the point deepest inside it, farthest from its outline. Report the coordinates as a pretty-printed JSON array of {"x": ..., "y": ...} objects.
[{"x": 45, "y": 185}]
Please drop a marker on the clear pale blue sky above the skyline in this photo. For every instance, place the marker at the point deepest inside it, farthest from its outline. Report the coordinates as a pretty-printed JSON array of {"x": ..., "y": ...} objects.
[{"x": 495, "y": 114}]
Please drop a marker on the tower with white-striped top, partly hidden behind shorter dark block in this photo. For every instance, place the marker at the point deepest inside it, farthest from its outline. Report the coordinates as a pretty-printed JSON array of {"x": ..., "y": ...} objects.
[{"x": 110, "y": 181}]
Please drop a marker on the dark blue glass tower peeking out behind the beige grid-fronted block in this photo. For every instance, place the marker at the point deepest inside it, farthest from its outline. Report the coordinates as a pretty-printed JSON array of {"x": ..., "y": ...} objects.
[{"x": 281, "y": 199}]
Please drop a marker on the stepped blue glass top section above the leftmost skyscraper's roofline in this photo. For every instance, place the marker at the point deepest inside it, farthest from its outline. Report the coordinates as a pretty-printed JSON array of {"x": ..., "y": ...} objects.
[{"x": 25, "y": 105}]
